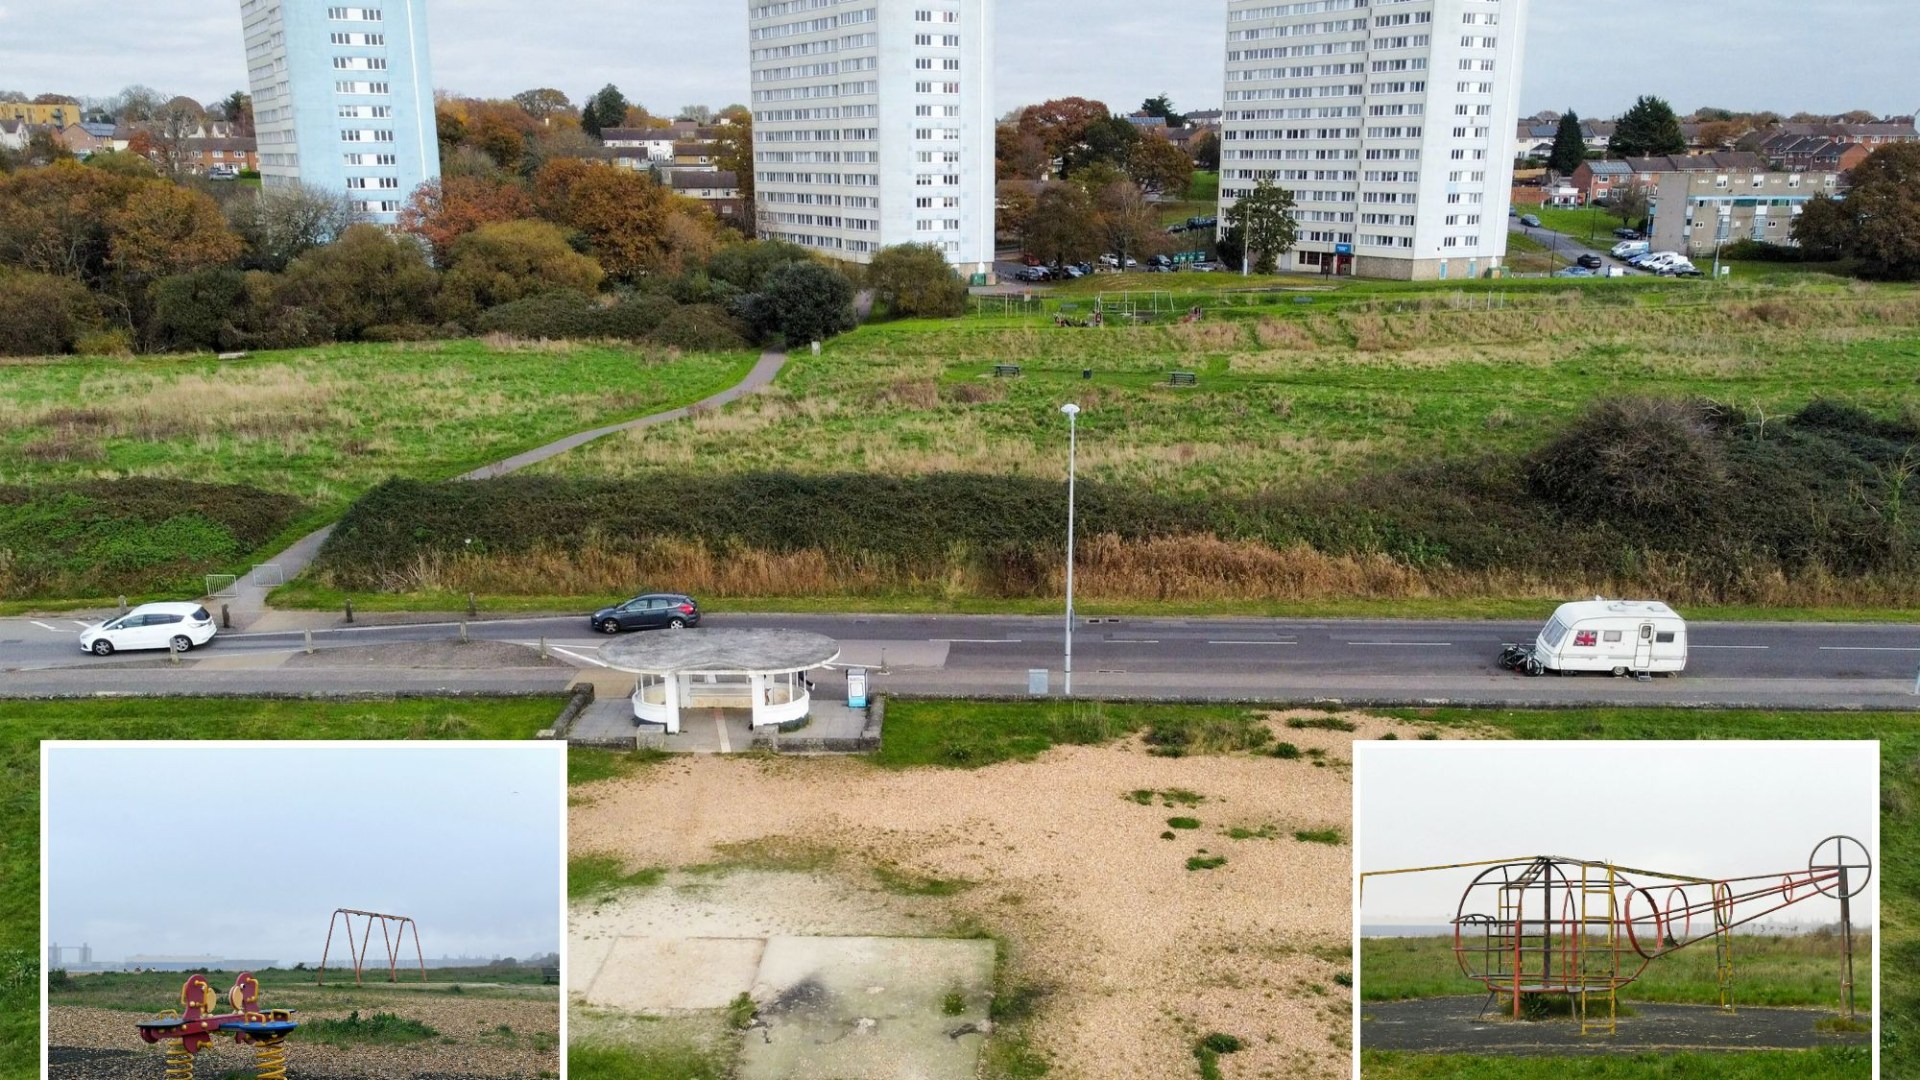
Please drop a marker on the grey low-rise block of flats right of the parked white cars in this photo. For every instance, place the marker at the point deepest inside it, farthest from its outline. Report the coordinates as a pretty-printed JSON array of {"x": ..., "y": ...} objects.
[{"x": 1696, "y": 210}]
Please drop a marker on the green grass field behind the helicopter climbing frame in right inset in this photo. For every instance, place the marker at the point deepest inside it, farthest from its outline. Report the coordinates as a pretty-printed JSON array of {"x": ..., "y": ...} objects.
[{"x": 1769, "y": 971}]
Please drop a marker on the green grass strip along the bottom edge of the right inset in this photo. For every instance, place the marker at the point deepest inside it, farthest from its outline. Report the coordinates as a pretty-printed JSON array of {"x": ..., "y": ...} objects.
[{"x": 1831, "y": 1064}]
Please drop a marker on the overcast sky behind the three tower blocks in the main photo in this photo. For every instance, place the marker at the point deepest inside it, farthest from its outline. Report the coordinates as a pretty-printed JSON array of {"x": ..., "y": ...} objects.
[{"x": 1754, "y": 55}]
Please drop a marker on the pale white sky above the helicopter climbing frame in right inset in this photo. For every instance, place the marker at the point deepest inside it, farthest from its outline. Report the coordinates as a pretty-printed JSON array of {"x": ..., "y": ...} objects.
[{"x": 1712, "y": 810}]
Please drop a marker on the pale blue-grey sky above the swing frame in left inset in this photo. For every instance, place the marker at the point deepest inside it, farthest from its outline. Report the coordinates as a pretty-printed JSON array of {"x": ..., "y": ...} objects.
[{"x": 245, "y": 852}]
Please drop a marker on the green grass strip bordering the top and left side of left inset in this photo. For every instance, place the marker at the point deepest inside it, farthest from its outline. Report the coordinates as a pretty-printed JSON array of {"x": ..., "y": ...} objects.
[{"x": 28, "y": 724}]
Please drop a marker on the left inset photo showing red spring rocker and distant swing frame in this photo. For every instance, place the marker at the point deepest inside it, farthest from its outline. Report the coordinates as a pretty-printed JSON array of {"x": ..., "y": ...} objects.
[{"x": 318, "y": 912}]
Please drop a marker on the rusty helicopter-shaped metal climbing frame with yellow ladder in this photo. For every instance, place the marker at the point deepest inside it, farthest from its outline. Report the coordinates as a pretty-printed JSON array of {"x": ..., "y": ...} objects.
[{"x": 1547, "y": 925}]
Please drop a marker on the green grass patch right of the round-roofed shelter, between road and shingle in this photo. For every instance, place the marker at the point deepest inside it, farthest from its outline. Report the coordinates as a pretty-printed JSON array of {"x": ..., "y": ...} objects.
[{"x": 982, "y": 733}]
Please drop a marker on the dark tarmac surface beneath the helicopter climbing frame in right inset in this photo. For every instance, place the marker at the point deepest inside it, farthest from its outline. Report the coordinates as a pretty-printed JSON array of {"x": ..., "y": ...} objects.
[{"x": 1454, "y": 1025}]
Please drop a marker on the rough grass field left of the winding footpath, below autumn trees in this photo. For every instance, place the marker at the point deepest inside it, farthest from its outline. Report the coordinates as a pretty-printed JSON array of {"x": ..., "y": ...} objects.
[{"x": 300, "y": 433}]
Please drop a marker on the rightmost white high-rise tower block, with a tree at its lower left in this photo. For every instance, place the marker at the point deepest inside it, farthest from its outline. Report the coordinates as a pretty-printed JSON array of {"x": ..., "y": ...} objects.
[{"x": 1391, "y": 124}]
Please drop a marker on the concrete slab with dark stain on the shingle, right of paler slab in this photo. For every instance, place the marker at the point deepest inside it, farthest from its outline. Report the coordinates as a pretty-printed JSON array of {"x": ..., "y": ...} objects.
[{"x": 869, "y": 1010}]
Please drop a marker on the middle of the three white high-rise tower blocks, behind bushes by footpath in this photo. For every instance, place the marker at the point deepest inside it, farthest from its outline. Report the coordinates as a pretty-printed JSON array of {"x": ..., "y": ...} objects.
[{"x": 875, "y": 126}]
